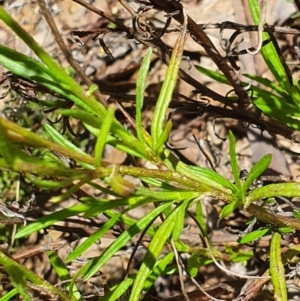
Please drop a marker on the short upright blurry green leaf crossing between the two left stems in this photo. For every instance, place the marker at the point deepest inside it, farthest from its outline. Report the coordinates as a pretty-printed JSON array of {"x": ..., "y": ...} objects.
[{"x": 103, "y": 133}]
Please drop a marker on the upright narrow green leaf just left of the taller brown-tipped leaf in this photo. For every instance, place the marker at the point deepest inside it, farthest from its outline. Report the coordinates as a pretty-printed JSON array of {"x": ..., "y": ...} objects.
[{"x": 140, "y": 91}]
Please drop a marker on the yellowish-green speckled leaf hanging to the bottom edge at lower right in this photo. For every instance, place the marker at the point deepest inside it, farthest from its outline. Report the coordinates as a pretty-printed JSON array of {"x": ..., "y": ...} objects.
[{"x": 277, "y": 269}]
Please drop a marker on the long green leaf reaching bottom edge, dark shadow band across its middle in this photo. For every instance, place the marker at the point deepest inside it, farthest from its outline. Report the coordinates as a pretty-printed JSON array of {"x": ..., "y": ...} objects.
[{"x": 157, "y": 243}]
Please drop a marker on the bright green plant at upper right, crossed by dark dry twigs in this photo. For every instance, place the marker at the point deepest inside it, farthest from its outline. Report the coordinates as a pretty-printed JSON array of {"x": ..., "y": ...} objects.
[{"x": 278, "y": 100}]
